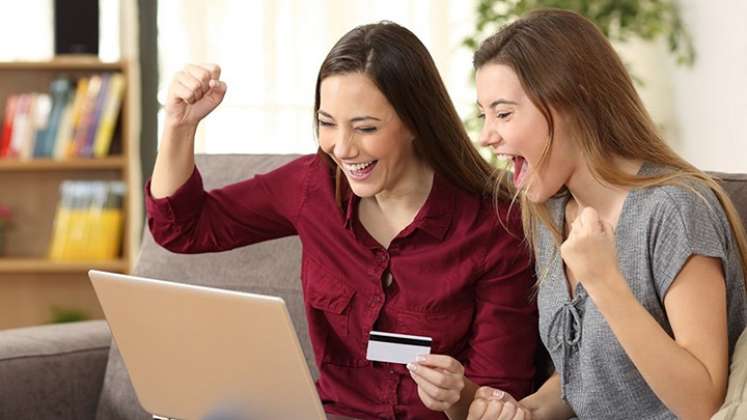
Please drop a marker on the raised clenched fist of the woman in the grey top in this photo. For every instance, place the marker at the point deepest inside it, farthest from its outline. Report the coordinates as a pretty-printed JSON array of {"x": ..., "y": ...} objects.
[{"x": 590, "y": 251}]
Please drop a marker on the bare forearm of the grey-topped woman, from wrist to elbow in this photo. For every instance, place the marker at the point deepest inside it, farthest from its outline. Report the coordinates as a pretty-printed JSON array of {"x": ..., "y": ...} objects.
[{"x": 663, "y": 363}]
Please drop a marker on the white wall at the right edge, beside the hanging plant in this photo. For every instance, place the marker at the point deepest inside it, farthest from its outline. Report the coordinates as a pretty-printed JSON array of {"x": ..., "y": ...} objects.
[{"x": 710, "y": 99}]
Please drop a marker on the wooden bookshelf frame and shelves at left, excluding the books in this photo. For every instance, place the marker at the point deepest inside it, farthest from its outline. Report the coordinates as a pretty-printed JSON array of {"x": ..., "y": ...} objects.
[{"x": 31, "y": 284}]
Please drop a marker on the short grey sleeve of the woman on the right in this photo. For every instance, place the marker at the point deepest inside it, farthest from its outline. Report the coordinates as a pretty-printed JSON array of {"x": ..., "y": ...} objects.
[{"x": 685, "y": 223}]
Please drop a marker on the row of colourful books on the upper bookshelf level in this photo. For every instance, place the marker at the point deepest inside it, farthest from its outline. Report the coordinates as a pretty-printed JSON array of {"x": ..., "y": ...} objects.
[{"x": 76, "y": 119}]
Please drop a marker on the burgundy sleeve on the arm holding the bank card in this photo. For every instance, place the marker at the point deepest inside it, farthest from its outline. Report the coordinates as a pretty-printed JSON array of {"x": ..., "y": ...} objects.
[{"x": 504, "y": 335}]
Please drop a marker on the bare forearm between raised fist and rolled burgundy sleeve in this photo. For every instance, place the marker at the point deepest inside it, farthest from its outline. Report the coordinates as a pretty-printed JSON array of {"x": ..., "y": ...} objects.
[{"x": 175, "y": 160}]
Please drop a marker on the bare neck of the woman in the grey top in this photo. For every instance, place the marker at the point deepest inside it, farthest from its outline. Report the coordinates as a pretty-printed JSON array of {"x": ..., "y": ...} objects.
[{"x": 606, "y": 199}]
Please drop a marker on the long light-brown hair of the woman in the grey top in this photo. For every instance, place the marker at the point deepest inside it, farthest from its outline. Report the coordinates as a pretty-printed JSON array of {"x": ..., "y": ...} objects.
[{"x": 565, "y": 64}]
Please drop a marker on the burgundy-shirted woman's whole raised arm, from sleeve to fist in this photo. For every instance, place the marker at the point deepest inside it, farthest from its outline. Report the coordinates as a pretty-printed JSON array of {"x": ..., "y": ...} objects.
[{"x": 182, "y": 216}]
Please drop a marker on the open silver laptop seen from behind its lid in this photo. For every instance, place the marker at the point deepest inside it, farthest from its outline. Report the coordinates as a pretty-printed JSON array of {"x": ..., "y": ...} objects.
[{"x": 199, "y": 353}]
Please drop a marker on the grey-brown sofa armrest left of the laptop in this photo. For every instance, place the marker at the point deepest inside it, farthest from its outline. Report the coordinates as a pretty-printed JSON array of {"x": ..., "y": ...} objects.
[{"x": 53, "y": 371}]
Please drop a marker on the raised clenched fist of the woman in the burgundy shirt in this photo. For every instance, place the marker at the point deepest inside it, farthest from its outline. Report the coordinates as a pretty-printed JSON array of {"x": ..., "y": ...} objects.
[{"x": 194, "y": 92}]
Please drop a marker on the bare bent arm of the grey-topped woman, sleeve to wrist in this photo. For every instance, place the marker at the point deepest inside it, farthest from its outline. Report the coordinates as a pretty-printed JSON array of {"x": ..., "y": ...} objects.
[{"x": 698, "y": 354}]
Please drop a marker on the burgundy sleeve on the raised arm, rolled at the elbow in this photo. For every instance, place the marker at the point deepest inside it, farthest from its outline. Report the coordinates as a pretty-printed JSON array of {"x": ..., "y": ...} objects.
[{"x": 264, "y": 207}]
